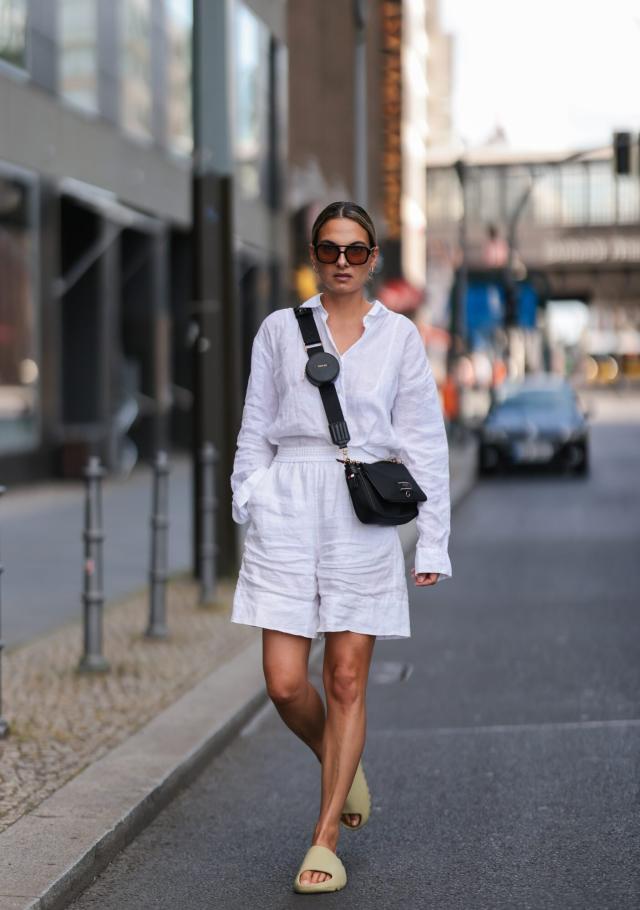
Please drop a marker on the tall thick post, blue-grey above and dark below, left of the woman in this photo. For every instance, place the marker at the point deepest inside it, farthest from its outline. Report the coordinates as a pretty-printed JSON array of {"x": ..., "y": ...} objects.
[{"x": 216, "y": 334}]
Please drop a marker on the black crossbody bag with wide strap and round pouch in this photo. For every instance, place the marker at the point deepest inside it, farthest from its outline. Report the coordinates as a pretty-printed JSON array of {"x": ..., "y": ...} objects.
[{"x": 382, "y": 492}]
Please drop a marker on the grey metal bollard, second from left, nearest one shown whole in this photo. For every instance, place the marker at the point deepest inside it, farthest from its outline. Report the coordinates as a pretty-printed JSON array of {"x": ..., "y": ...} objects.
[{"x": 93, "y": 660}]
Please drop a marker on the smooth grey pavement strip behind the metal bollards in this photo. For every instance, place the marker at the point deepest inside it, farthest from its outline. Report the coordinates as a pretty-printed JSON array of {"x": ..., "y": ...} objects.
[{"x": 41, "y": 545}]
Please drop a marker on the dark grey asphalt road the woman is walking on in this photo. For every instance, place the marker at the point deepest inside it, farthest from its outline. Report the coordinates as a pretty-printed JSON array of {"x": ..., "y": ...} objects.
[{"x": 504, "y": 768}]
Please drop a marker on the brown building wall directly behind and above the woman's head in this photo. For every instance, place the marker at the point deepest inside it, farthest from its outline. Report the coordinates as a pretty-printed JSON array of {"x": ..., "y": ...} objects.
[{"x": 322, "y": 39}]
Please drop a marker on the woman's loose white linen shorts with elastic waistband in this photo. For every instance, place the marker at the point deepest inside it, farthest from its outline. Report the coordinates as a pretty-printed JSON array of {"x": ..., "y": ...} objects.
[{"x": 309, "y": 565}]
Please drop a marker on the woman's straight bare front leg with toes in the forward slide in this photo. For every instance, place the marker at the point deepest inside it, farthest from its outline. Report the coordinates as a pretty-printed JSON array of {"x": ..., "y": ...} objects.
[{"x": 347, "y": 659}]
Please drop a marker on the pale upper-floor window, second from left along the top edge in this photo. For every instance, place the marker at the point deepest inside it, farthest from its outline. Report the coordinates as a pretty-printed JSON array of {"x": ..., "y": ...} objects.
[{"x": 78, "y": 30}]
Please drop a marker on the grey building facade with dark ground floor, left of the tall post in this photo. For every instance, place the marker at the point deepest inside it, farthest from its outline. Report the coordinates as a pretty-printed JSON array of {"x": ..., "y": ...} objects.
[{"x": 95, "y": 206}]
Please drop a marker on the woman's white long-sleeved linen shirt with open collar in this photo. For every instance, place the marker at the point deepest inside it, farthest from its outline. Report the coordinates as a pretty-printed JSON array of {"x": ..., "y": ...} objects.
[{"x": 388, "y": 397}]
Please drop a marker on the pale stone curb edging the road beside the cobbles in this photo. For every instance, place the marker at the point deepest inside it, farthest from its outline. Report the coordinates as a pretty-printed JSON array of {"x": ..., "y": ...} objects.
[{"x": 51, "y": 855}]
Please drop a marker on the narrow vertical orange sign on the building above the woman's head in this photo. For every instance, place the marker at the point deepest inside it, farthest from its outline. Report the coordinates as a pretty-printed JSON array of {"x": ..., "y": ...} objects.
[{"x": 391, "y": 114}]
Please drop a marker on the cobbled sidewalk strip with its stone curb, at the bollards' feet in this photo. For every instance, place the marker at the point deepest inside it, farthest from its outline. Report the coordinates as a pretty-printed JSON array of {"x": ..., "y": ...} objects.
[{"x": 81, "y": 774}]
